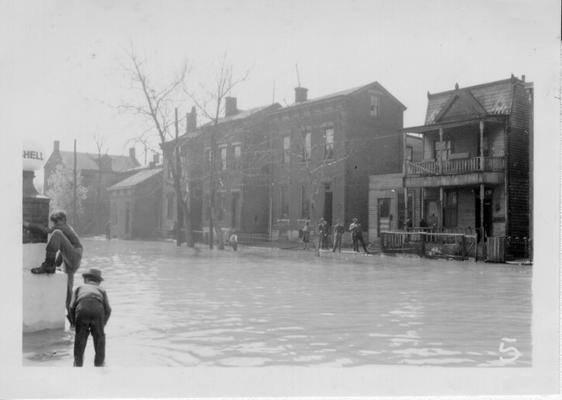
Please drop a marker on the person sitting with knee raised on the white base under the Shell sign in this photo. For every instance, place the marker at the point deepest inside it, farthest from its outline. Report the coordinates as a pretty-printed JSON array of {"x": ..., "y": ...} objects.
[{"x": 63, "y": 245}]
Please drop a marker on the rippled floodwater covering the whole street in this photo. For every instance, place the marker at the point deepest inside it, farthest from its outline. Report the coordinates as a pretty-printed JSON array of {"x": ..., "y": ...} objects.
[{"x": 273, "y": 307}]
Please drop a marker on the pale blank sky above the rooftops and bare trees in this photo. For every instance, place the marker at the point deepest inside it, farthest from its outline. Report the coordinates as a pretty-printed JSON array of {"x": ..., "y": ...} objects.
[{"x": 62, "y": 62}]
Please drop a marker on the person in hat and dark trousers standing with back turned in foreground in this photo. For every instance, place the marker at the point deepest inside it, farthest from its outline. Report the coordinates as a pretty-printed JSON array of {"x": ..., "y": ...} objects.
[{"x": 89, "y": 313}]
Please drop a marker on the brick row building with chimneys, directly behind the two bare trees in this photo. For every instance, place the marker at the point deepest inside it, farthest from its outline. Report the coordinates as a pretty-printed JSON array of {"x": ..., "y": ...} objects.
[{"x": 240, "y": 144}]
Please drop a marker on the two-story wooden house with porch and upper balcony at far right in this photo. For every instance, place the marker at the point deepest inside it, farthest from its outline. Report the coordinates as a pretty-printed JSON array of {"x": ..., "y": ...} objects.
[{"x": 474, "y": 174}]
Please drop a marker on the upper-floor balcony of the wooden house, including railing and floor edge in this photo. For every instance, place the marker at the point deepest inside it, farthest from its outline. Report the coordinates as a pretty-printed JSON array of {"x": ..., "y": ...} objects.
[{"x": 455, "y": 172}]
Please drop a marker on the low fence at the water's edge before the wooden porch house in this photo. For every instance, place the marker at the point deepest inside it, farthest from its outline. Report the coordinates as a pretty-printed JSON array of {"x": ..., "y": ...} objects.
[{"x": 431, "y": 244}]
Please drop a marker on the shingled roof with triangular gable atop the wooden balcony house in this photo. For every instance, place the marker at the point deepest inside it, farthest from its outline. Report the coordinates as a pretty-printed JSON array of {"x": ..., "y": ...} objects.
[{"x": 492, "y": 98}]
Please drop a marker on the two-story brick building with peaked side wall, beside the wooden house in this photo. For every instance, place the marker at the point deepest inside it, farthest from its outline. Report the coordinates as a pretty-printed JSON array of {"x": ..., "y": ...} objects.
[{"x": 324, "y": 150}]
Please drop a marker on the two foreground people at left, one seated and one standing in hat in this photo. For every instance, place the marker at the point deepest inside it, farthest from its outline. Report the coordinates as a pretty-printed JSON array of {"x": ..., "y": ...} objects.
[{"x": 87, "y": 306}]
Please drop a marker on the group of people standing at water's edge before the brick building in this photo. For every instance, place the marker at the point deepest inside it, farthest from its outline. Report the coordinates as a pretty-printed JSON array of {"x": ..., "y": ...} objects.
[{"x": 324, "y": 231}]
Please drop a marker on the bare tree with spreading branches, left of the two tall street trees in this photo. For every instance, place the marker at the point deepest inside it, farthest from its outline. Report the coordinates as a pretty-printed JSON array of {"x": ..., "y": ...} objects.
[{"x": 158, "y": 106}]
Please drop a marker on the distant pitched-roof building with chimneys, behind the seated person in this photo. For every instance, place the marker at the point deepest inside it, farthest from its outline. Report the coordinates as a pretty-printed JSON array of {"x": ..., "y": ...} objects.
[{"x": 97, "y": 175}]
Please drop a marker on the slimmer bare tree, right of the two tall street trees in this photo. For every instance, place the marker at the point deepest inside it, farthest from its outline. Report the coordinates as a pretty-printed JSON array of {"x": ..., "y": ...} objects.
[{"x": 223, "y": 85}]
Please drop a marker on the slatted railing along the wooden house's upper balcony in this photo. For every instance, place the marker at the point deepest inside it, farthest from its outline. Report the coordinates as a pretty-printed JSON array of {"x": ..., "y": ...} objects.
[{"x": 455, "y": 167}]
